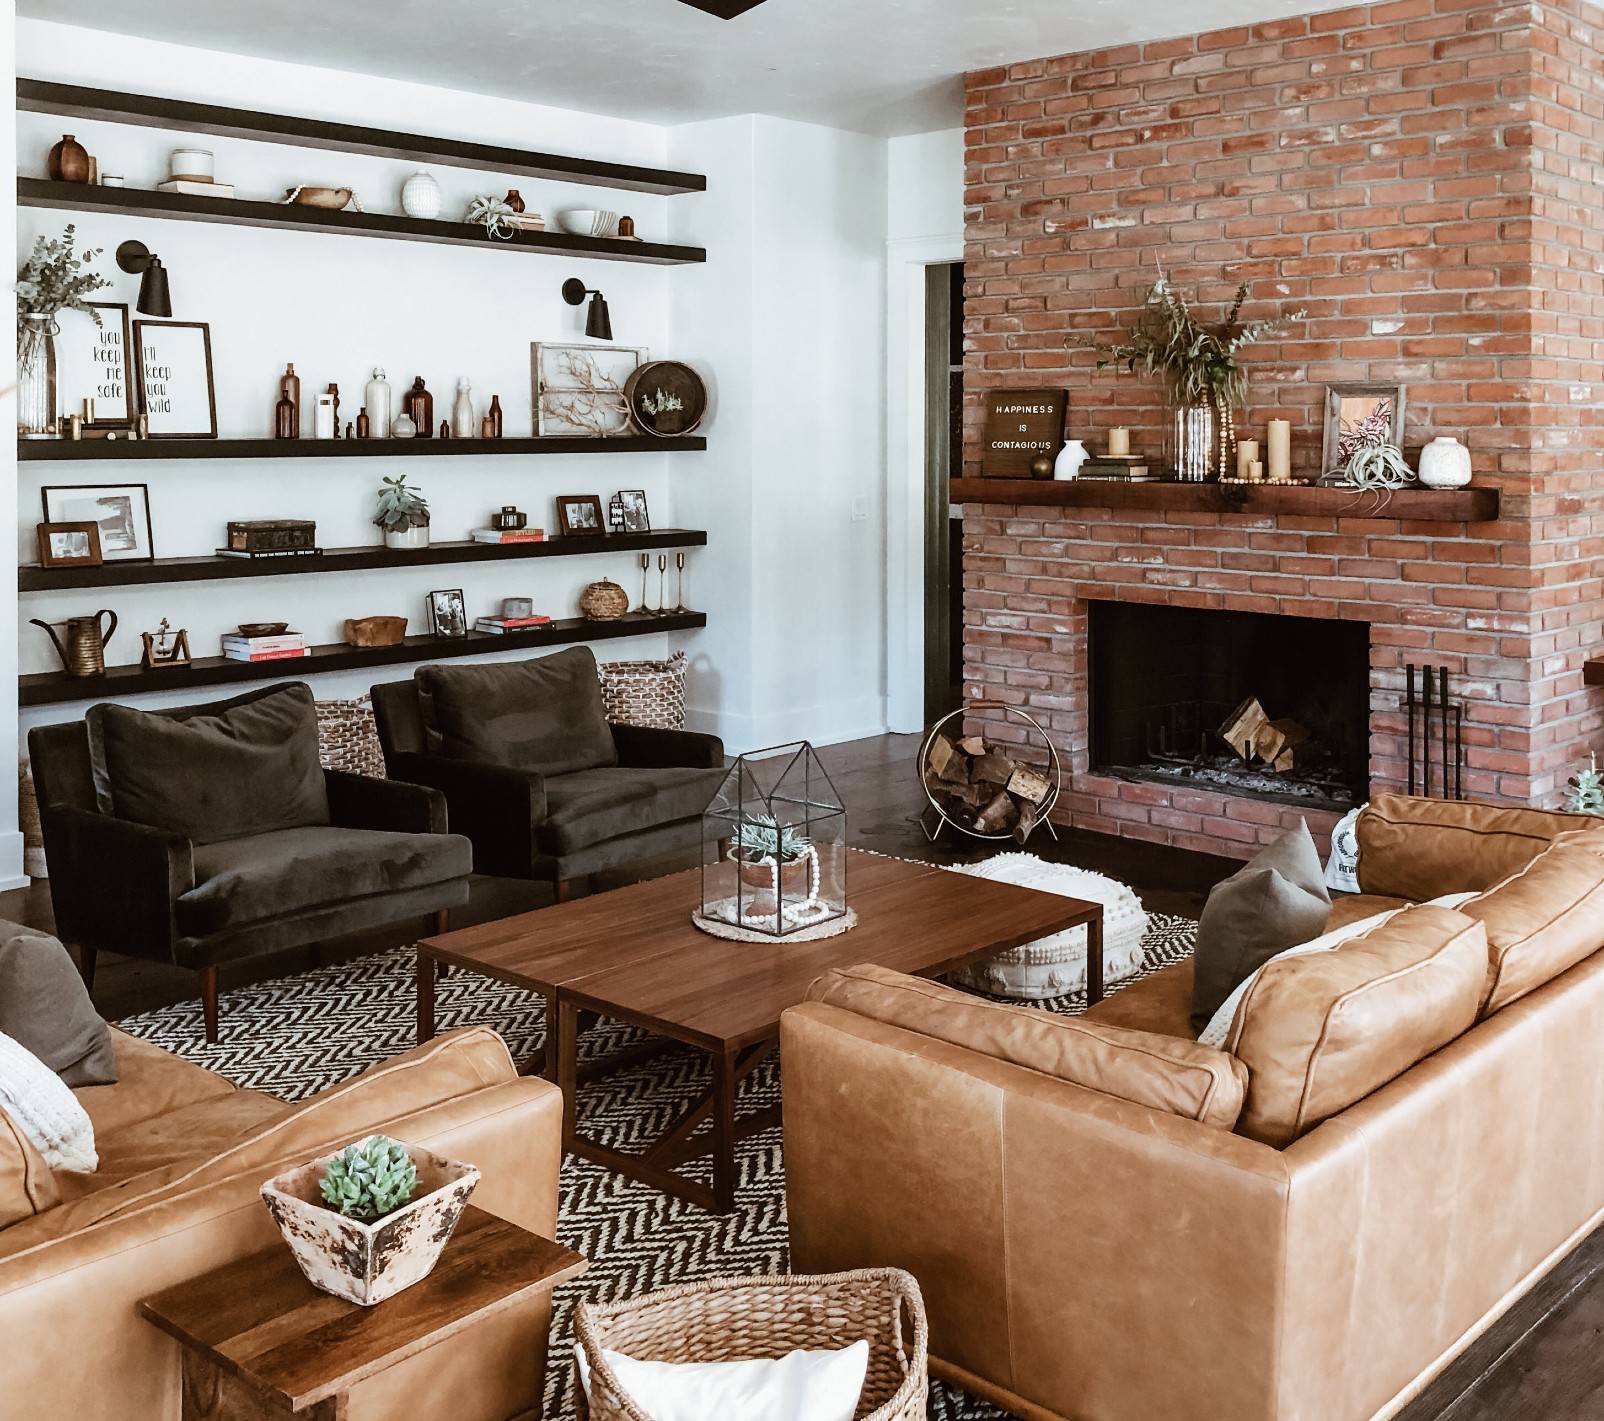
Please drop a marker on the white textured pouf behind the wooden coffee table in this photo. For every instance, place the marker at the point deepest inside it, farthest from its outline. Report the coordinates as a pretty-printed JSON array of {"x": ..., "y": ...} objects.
[{"x": 1056, "y": 966}]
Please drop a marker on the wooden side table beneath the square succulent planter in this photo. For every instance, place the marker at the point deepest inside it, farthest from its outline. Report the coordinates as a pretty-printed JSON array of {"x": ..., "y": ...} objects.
[{"x": 259, "y": 1342}]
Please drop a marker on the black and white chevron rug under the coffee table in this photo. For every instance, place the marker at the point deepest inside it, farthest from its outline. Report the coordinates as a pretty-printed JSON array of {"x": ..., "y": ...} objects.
[{"x": 299, "y": 1035}]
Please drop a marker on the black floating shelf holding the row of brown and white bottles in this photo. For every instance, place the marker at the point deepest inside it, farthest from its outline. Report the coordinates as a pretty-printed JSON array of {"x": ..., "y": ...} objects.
[{"x": 67, "y": 451}]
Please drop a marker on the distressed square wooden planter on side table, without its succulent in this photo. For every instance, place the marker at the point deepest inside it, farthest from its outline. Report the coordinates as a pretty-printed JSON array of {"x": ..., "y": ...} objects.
[{"x": 370, "y": 1263}]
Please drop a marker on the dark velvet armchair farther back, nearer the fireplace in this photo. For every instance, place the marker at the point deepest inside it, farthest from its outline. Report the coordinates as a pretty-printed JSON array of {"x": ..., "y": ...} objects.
[{"x": 537, "y": 777}]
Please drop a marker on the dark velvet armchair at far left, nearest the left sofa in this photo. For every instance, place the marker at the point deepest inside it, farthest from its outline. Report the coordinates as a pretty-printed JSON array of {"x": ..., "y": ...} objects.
[{"x": 373, "y": 852}]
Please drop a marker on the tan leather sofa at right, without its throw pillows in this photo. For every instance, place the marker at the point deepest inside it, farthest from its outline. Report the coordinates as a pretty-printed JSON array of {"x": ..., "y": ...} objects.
[{"x": 1114, "y": 1255}]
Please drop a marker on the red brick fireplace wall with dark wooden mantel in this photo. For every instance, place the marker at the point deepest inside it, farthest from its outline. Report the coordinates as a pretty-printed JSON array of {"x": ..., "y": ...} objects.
[{"x": 1422, "y": 177}]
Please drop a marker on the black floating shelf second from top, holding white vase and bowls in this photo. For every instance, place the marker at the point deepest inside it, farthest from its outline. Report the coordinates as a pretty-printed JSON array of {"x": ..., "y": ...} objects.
[{"x": 293, "y": 217}]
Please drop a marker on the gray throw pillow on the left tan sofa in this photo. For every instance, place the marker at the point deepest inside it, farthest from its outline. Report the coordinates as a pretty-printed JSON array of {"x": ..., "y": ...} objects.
[{"x": 46, "y": 1008}]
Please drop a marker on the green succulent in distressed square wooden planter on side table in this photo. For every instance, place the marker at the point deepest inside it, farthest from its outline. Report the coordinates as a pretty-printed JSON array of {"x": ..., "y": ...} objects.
[{"x": 373, "y": 1218}]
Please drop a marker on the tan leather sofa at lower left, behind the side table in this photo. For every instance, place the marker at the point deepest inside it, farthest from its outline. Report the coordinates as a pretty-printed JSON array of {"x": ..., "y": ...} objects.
[{"x": 184, "y": 1154}]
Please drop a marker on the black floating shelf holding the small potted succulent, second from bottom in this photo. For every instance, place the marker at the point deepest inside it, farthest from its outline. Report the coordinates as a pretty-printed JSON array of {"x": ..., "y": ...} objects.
[{"x": 214, "y": 569}]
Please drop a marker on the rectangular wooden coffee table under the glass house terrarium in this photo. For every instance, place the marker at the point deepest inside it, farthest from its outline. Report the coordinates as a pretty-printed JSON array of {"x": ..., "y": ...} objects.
[{"x": 634, "y": 957}]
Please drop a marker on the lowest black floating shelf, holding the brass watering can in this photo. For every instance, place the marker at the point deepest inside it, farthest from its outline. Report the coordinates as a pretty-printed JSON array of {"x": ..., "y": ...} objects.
[{"x": 54, "y": 687}]
